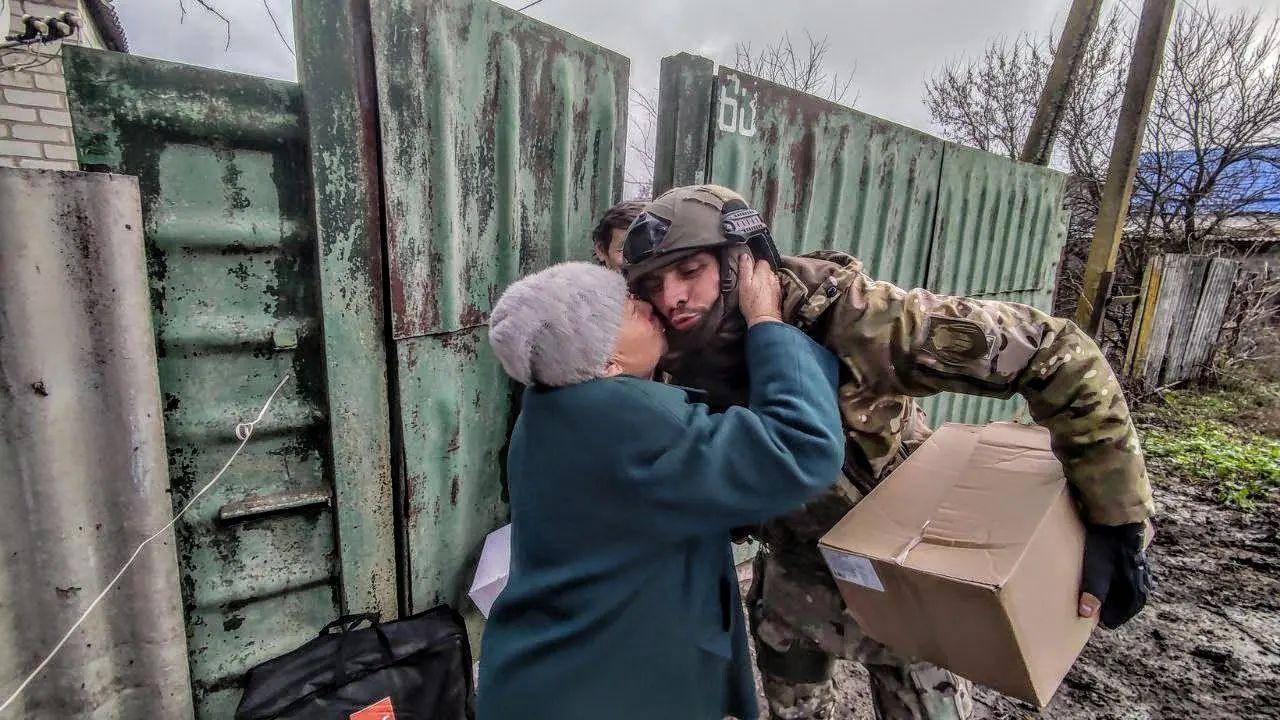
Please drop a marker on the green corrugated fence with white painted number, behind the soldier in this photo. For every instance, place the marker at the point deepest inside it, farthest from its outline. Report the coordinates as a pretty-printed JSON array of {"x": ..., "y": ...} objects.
[{"x": 917, "y": 211}]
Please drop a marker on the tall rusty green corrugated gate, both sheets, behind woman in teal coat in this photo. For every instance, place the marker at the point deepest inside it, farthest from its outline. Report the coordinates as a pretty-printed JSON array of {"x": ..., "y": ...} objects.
[{"x": 502, "y": 144}]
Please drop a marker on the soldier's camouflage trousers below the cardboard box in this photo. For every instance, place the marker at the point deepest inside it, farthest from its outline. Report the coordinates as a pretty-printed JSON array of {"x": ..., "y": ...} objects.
[{"x": 801, "y": 627}]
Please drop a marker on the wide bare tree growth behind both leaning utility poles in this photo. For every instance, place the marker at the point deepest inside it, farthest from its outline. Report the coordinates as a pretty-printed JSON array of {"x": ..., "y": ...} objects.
[{"x": 1214, "y": 124}]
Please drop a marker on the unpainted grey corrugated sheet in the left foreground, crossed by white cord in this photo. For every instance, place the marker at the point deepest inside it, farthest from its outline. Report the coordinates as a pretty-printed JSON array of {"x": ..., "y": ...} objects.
[{"x": 83, "y": 457}]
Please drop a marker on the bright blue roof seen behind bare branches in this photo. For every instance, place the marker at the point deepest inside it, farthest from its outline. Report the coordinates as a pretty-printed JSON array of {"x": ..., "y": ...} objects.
[{"x": 1259, "y": 176}]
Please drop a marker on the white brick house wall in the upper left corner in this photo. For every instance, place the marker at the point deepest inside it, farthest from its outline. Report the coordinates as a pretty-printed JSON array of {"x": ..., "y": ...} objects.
[{"x": 35, "y": 126}]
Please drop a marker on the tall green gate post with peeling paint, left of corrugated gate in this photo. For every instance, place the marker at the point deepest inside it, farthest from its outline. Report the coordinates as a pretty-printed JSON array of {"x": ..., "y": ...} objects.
[{"x": 337, "y": 83}]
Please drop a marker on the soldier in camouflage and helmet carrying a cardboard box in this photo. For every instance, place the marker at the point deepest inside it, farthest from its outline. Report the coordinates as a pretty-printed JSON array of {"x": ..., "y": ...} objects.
[{"x": 895, "y": 347}]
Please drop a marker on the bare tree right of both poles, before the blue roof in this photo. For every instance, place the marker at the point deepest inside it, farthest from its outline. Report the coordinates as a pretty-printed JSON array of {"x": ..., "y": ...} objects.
[{"x": 1218, "y": 111}]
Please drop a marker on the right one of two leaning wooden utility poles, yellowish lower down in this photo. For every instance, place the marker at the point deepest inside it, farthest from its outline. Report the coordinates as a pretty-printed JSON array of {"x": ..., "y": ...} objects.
[{"x": 1149, "y": 52}]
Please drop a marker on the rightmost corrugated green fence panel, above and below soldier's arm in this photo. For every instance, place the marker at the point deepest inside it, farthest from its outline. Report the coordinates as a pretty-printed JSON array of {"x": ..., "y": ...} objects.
[{"x": 1000, "y": 234}]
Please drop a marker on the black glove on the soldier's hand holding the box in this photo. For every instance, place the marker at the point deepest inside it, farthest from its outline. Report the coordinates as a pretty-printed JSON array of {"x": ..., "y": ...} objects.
[{"x": 1117, "y": 572}]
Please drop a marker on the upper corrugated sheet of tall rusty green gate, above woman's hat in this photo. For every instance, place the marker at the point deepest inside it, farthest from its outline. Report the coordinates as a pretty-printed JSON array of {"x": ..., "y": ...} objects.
[{"x": 502, "y": 145}]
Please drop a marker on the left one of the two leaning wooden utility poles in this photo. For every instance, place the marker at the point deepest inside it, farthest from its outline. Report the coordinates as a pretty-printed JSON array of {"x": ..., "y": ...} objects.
[{"x": 1081, "y": 24}]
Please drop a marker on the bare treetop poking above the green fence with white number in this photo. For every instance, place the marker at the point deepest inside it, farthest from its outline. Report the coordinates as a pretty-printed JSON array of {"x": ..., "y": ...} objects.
[{"x": 804, "y": 70}]
